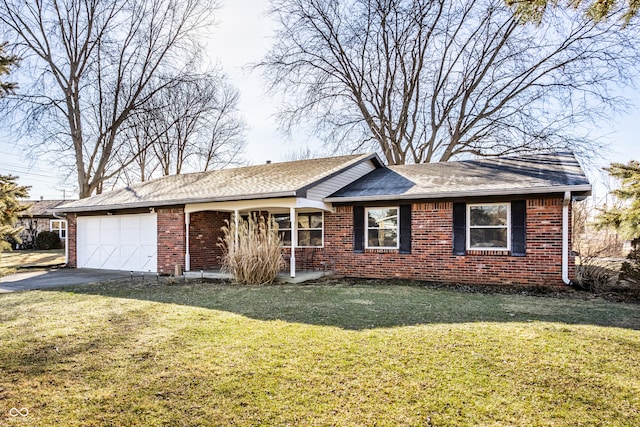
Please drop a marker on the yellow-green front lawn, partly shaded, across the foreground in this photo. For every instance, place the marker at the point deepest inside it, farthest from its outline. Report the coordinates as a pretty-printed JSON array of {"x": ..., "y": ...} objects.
[{"x": 212, "y": 354}]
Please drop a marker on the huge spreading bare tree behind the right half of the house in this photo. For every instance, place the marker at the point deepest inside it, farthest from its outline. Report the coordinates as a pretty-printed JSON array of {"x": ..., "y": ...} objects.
[{"x": 430, "y": 80}]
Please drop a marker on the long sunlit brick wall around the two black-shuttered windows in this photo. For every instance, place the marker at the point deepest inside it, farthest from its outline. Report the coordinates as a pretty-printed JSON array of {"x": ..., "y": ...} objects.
[{"x": 432, "y": 256}]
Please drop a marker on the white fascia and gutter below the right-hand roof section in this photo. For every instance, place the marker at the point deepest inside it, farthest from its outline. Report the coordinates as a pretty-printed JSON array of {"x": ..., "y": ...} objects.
[{"x": 463, "y": 194}]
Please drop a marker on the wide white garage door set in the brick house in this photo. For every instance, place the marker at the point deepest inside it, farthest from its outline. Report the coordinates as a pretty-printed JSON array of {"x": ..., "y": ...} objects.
[{"x": 118, "y": 242}]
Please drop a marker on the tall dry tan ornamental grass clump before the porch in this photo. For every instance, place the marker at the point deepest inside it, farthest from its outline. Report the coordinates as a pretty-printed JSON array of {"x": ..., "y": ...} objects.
[{"x": 252, "y": 251}]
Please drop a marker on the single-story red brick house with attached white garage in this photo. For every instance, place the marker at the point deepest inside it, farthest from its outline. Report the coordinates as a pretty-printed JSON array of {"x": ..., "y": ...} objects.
[{"x": 492, "y": 221}]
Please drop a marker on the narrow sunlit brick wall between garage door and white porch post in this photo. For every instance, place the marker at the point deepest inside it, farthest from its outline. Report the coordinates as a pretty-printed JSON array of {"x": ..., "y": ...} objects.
[{"x": 171, "y": 239}]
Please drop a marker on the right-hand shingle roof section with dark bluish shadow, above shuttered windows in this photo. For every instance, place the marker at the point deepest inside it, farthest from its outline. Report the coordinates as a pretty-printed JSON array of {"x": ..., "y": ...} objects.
[{"x": 528, "y": 174}]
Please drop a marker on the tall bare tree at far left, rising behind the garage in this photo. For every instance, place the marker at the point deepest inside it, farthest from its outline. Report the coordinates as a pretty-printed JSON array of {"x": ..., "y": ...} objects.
[{"x": 96, "y": 62}]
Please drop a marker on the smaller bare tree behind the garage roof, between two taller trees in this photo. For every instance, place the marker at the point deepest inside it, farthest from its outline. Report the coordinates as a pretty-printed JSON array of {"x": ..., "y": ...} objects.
[{"x": 192, "y": 125}]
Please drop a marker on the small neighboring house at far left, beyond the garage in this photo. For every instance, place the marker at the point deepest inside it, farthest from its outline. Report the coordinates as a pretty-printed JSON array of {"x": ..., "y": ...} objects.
[{"x": 40, "y": 217}]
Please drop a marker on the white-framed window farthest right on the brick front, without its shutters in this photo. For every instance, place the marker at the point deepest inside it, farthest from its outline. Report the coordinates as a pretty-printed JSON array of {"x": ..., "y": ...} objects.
[{"x": 488, "y": 226}]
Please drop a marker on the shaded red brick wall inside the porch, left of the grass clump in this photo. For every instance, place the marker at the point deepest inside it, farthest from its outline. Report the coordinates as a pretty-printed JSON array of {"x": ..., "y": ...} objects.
[{"x": 204, "y": 231}]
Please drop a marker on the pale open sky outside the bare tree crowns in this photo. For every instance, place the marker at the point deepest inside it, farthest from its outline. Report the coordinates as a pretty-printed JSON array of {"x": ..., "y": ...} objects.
[{"x": 242, "y": 36}]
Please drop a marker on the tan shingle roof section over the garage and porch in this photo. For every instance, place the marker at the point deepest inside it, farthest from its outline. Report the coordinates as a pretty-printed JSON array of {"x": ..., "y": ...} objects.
[{"x": 286, "y": 179}]
